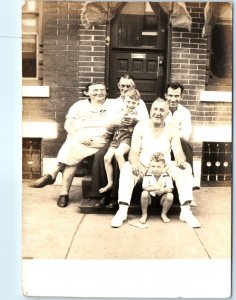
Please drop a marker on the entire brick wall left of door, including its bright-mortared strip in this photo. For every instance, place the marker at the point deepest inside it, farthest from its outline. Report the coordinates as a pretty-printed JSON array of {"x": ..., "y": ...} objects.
[{"x": 72, "y": 57}]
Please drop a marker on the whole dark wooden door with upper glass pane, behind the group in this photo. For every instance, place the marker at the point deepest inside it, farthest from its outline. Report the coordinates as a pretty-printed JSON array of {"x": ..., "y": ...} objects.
[{"x": 138, "y": 47}]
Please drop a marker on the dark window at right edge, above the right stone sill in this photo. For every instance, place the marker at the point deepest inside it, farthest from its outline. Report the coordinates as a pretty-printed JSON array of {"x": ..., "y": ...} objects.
[{"x": 219, "y": 70}]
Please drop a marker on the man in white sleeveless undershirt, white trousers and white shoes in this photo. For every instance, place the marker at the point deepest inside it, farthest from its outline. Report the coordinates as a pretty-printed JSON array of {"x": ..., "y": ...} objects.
[{"x": 148, "y": 138}]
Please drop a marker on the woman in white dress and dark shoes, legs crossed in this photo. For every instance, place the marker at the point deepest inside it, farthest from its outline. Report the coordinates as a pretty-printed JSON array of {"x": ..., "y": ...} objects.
[{"x": 85, "y": 125}]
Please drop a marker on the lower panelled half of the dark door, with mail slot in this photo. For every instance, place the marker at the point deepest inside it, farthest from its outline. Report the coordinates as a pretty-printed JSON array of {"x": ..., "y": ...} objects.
[{"x": 148, "y": 74}]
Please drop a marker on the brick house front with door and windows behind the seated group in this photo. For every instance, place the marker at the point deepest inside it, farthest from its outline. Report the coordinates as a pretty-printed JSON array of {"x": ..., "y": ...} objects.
[{"x": 62, "y": 52}]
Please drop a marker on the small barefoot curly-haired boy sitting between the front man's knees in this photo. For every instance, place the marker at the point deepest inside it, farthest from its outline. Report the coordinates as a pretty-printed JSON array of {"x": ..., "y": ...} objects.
[{"x": 157, "y": 183}]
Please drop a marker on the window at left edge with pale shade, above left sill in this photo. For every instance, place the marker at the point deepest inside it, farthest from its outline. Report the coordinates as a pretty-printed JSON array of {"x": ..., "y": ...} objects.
[{"x": 31, "y": 41}]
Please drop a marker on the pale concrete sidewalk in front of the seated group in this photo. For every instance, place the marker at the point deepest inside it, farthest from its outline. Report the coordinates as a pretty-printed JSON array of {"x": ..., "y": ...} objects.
[{"x": 50, "y": 232}]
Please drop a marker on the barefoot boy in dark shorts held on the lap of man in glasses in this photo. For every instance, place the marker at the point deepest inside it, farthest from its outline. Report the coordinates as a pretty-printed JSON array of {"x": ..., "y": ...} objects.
[{"x": 121, "y": 141}]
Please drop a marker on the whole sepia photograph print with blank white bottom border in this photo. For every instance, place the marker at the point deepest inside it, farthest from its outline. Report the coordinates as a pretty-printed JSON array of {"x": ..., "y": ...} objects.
[{"x": 127, "y": 149}]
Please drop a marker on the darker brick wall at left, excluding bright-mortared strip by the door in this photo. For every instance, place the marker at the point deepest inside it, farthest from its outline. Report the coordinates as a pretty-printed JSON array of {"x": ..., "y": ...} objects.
[{"x": 60, "y": 69}]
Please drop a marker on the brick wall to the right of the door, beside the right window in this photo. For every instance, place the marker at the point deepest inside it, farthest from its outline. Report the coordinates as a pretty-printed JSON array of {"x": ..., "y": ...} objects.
[{"x": 188, "y": 66}]
